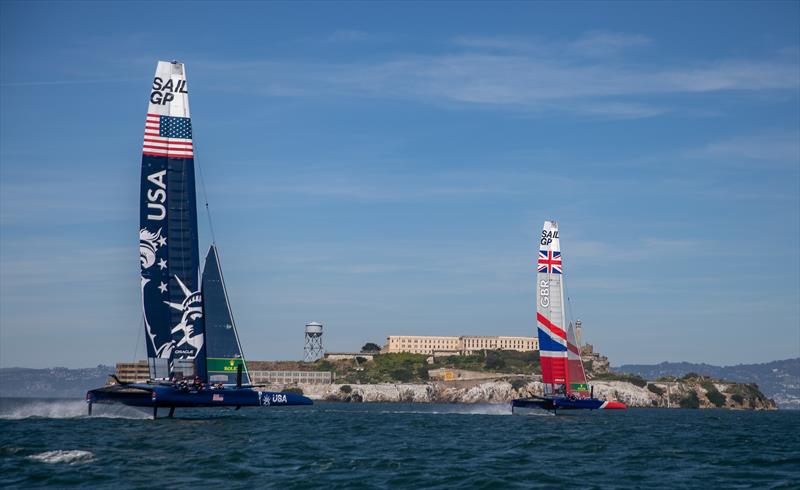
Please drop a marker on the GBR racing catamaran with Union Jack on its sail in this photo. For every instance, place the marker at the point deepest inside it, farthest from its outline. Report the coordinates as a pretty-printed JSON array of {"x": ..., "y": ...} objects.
[{"x": 564, "y": 378}]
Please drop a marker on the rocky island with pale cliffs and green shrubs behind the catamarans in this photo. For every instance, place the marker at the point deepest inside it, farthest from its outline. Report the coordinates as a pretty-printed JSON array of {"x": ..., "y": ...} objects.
[{"x": 500, "y": 376}]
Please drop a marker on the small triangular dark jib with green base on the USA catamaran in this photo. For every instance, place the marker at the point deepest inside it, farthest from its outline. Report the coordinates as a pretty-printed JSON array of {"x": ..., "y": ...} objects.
[{"x": 223, "y": 350}]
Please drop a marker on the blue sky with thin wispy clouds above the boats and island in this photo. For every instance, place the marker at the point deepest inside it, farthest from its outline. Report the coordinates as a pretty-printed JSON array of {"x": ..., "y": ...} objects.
[{"x": 385, "y": 168}]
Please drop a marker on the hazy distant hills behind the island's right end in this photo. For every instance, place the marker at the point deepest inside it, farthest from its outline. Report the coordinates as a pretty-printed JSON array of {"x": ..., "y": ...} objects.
[{"x": 779, "y": 380}]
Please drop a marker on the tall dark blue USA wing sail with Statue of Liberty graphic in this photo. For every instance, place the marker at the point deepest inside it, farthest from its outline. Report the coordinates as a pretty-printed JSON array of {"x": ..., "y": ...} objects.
[{"x": 168, "y": 249}]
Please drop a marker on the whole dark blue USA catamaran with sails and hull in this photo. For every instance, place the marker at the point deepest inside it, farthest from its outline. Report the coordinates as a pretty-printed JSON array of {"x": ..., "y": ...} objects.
[{"x": 193, "y": 350}]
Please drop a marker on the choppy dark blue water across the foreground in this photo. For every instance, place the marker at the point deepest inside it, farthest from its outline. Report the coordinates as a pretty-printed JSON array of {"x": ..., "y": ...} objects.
[{"x": 53, "y": 444}]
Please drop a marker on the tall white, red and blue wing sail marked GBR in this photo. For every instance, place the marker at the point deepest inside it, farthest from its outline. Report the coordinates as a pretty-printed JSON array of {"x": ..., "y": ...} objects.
[{"x": 550, "y": 310}]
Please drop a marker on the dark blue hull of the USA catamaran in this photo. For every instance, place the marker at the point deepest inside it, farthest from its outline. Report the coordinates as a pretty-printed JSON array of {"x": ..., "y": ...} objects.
[{"x": 155, "y": 396}]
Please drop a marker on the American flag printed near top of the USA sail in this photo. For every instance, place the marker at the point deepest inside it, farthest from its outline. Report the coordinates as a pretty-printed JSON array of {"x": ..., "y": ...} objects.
[{"x": 168, "y": 136}]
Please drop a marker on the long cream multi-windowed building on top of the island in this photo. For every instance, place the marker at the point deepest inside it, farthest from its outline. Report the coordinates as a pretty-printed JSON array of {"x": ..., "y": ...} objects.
[{"x": 461, "y": 345}]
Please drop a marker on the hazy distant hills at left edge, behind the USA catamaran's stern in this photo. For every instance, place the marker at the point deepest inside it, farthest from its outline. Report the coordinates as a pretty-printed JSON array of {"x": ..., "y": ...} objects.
[{"x": 55, "y": 382}]
